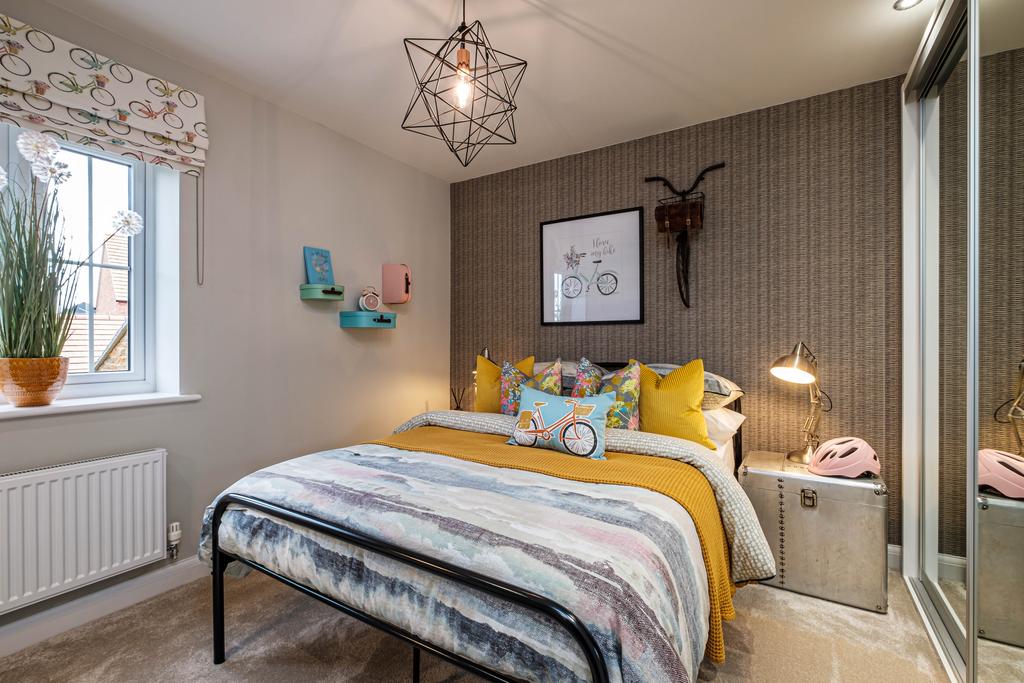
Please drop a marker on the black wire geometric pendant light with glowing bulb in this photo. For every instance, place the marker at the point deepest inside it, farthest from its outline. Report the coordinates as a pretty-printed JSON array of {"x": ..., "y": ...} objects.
[{"x": 465, "y": 91}]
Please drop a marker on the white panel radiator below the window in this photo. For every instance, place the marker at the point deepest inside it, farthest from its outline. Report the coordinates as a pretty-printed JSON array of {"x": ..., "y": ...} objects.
[{"x": 69, "y": 526}]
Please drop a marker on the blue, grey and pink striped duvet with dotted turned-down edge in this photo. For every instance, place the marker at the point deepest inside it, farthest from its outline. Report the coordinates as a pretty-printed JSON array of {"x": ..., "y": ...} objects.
[{"x": 627, "y": 561}]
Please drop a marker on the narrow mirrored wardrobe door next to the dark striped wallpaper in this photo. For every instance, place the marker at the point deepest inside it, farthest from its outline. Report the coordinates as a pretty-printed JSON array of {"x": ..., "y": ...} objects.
[{"x": 945, "y": 346}]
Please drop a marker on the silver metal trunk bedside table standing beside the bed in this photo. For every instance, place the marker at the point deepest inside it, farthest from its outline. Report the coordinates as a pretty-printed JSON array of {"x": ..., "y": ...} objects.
[{"x": 828, "y": 534}]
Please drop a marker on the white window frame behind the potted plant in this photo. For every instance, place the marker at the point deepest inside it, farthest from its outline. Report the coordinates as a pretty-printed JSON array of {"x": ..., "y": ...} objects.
[{"x": 142, "y": 310}]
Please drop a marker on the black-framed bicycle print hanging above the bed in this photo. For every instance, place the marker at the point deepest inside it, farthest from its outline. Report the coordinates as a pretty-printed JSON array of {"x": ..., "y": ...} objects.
[{"x": 592, "y": 269}]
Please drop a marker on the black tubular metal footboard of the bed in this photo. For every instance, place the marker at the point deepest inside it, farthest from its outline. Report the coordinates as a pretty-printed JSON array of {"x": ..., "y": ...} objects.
[{"x": 563, "y": 617}]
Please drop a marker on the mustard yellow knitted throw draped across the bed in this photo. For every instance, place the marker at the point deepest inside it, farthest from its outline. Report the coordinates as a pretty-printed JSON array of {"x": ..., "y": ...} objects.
[{"x": 680, "y": 482}]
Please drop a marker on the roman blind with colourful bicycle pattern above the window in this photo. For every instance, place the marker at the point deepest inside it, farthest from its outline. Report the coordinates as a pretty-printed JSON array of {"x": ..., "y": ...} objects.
[{"x": 59, "y": 89}]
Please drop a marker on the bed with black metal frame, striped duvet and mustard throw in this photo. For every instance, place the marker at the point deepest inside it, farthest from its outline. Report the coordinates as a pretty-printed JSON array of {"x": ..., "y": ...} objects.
[{"x": 516, "y": 564}]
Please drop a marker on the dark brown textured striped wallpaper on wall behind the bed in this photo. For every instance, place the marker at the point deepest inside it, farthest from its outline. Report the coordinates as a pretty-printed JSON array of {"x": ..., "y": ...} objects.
[{"x": 802, "y": 242}]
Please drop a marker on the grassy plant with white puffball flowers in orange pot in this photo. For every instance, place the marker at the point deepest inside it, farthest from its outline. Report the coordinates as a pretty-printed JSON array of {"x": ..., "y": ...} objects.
[{"x": 37, "y": 281}]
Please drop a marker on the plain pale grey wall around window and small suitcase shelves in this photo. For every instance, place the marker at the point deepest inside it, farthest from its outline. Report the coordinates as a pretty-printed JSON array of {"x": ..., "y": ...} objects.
[{"x": 278, "y": 376}]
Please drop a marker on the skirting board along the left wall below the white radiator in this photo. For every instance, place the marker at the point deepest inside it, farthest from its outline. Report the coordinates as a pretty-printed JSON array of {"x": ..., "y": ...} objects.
[{"x": 40, "y": 626}]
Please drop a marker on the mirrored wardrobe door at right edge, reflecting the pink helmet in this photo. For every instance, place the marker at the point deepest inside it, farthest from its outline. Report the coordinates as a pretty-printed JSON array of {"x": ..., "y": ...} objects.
[{"x": 1000, "y": 536}]
